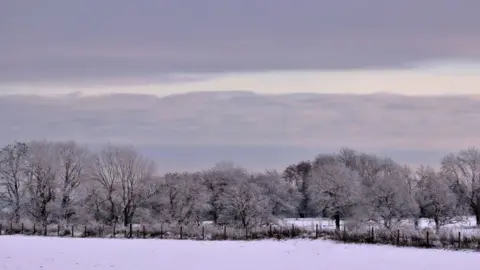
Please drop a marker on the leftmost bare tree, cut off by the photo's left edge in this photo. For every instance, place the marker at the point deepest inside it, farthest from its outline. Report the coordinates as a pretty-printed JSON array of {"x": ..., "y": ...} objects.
[{"x": 13, "y": 178}]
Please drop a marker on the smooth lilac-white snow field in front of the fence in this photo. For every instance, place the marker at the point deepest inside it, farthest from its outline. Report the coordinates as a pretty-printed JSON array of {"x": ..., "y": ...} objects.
[{"x": 25, "y": 253}]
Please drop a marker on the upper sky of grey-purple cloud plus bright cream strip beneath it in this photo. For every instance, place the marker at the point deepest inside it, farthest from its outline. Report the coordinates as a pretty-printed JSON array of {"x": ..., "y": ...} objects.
[{"x": 270, "y": 46}]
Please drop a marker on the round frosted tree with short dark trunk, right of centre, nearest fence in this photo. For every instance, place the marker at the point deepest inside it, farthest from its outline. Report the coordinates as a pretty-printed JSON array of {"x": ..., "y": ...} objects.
[{"x": 335, "y": 190}]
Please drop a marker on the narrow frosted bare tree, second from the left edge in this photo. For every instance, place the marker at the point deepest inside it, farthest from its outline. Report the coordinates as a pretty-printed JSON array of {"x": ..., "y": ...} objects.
[{"x": 42, "y": 173}]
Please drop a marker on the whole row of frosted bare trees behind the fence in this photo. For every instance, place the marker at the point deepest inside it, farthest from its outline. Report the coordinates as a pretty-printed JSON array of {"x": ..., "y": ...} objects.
[{"x": 68, "y": 183}]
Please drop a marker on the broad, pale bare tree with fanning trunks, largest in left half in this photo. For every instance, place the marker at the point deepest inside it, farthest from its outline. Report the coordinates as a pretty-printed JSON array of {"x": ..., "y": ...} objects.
[{"x": 125, "y": 179}]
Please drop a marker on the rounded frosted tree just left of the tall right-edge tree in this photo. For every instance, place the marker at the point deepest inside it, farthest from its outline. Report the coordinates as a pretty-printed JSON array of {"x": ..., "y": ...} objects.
[{"x": 436, "y": 199}]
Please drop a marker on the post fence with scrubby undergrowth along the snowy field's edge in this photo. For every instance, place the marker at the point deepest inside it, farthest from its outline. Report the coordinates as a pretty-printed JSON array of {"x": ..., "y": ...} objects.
[{"x": 426, "y": 239}]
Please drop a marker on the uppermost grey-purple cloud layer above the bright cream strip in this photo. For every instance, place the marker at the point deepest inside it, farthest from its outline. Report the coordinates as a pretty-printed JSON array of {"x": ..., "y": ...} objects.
[{"x": 104, "y": 40}]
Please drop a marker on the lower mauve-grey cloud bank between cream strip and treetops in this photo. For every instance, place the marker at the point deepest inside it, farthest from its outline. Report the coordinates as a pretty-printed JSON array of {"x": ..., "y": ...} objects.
[{"x": 201, "y": 128}]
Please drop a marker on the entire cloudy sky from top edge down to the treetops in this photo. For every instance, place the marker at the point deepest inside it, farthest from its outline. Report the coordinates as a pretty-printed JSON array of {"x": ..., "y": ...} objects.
[{"x": 165, "y": 47}]
